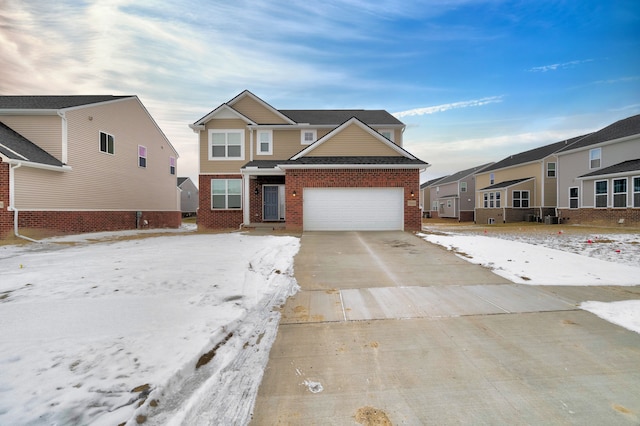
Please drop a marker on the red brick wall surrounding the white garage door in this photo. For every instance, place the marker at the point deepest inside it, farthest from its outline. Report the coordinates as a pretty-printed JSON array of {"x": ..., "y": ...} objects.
[{"x": 297, "y": 180}]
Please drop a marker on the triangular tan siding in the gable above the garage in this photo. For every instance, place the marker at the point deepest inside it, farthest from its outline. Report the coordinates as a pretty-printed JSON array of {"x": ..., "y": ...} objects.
[{"x": 352, "y": 141}]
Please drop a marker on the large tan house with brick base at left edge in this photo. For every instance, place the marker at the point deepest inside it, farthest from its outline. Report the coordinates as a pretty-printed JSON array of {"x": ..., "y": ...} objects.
[{"x": 84, "y": 163}]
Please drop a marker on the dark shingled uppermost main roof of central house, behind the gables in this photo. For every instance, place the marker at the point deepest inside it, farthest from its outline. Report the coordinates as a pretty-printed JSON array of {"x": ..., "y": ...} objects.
[{"x": 338, "y": 116}]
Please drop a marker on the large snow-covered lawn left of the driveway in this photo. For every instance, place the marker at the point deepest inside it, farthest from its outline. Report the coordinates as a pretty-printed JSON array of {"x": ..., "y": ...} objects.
[{"x": 166, "y": 328}]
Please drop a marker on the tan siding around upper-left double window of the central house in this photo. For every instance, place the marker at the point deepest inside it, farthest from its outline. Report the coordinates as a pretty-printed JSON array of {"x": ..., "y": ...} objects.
[{"x": 223, "y": 166}]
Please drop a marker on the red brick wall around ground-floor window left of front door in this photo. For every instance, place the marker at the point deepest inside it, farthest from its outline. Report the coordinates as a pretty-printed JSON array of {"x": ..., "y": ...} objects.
[{"x": 216, "y": 219}]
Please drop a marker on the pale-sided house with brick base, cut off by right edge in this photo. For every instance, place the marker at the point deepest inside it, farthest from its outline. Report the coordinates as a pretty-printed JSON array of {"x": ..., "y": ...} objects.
[{"x": 599, "y": 176}]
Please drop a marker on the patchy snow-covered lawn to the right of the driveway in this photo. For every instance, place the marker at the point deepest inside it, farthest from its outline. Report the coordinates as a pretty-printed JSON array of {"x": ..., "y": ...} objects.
[{"x": 553, "y": 256}]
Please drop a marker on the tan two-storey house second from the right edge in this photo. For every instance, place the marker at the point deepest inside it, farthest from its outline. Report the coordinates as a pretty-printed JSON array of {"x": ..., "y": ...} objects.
[{"x": 521, "y": 187}]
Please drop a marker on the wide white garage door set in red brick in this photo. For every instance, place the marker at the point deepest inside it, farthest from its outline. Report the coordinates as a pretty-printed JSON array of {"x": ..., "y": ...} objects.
[{"x": 353, "y": 209}]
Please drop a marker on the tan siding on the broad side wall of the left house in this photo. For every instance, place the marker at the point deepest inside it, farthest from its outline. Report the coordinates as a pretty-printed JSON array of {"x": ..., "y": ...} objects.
[{"x": 102, "y": 181}]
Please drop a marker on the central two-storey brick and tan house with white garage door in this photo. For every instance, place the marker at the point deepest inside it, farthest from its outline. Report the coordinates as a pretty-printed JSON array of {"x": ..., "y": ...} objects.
[{"x": 307, "y": 169}]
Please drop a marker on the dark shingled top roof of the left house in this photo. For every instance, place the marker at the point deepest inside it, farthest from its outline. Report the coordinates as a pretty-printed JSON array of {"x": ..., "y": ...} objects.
[{"x": 53, "y": 102}]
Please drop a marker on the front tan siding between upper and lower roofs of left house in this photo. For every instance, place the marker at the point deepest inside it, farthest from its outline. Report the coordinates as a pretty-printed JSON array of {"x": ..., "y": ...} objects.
[{"x": 43, "y": 130}]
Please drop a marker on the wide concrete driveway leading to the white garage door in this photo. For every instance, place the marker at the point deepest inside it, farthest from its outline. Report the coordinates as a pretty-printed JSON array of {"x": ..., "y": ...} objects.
[{"x": 388, "y": 327}]
